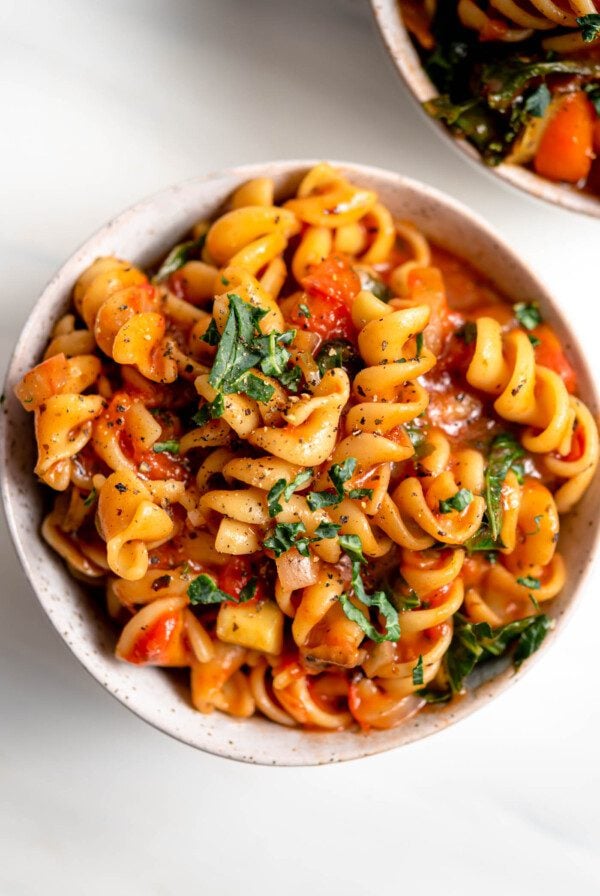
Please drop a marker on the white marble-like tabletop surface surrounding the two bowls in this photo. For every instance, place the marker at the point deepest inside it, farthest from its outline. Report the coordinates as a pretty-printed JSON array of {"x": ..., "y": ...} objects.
[{"x": 103, "y": 102}]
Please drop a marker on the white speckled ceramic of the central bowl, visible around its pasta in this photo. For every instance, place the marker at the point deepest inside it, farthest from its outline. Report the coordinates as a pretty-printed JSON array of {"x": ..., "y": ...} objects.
[{"x": 141, "y": 234}]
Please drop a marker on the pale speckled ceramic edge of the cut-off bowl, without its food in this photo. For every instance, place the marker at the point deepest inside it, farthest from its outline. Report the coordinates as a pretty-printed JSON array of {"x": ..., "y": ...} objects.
[{"x": 406, "y": 60}]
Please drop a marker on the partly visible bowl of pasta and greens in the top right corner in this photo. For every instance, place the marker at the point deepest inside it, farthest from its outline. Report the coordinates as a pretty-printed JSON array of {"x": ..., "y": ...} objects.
[{"x": 514, "y": 84}]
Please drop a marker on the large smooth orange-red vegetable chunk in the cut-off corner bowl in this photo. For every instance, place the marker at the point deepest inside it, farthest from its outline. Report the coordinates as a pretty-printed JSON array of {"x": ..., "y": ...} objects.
[{"x": 566, "y": 148}]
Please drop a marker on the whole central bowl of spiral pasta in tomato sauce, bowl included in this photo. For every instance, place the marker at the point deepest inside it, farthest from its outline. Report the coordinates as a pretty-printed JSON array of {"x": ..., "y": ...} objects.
[{"x": 298, "y": 459}]
